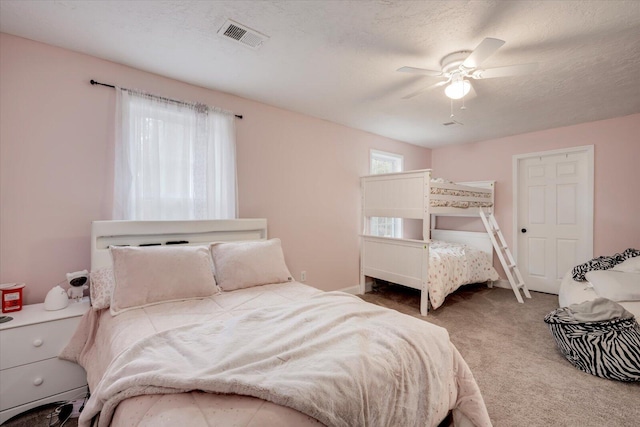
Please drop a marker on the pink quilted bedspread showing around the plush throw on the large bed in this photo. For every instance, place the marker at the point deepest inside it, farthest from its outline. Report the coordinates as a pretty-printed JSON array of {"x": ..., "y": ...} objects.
[{"x": 102, "y": 339}]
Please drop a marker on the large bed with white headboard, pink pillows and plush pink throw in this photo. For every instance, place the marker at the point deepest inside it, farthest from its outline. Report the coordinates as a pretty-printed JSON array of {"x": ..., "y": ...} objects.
[{"x": 261, "y": 350}]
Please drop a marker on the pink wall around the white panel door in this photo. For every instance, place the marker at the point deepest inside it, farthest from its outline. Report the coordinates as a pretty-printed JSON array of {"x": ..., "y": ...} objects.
[{"x": 617, "y": 174}]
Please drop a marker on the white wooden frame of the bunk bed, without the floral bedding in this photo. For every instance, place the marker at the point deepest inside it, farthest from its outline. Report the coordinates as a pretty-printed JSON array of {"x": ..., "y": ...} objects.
[{"x": 408, "y": 195}]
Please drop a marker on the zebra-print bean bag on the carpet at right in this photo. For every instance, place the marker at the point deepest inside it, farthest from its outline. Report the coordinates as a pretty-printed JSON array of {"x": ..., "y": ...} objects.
[{"x": 608, "y": 348}]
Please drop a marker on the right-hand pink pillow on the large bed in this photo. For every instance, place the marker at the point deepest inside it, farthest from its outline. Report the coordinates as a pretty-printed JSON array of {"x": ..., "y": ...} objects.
[{"x": 240, "y": 265}]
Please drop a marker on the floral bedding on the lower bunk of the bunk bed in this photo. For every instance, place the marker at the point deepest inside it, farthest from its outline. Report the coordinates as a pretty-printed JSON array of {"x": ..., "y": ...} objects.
[{"x": 452, "y": 265}]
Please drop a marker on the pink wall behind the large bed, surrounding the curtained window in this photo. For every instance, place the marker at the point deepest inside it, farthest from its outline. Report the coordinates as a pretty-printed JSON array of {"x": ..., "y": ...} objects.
[{"x": 56, "y": 131}]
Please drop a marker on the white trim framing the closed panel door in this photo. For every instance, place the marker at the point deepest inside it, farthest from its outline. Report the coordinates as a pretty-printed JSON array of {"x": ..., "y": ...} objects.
[{"x": 589, "y": 150}]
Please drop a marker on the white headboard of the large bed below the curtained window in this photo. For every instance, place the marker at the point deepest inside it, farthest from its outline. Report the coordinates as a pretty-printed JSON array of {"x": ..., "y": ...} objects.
[{"x": 197, "y": 232}]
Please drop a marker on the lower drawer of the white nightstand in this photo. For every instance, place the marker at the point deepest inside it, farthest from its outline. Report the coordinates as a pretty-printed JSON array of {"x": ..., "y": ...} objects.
[{"x": 37, "y": 380}]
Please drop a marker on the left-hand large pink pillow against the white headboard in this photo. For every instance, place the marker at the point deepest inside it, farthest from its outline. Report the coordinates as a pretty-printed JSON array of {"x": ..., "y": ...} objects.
[{"x": 151, "y": 275}]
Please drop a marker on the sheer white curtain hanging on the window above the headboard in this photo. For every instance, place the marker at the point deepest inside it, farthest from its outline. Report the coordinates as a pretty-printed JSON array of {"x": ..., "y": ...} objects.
[{"x": 173, "y": 160}]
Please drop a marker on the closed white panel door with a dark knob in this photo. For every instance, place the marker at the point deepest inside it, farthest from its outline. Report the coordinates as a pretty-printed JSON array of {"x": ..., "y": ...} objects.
[{"x": 554, "y": 215}]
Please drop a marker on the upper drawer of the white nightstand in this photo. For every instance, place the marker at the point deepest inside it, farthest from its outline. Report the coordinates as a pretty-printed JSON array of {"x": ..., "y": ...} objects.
[{"x": 19, "y": 346}]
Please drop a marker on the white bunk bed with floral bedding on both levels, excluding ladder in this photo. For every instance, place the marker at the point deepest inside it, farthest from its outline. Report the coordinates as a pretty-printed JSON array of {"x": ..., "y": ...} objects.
[{"x": 426, "y": 264}]
